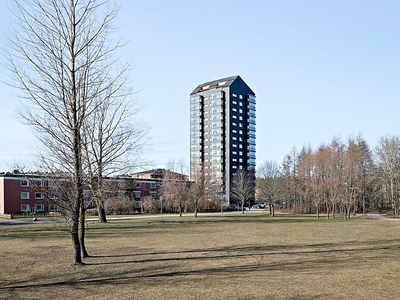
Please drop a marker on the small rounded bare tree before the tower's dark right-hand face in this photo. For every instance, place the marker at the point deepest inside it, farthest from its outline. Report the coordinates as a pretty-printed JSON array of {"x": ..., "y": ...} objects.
[{"x": 242, "y": 187}]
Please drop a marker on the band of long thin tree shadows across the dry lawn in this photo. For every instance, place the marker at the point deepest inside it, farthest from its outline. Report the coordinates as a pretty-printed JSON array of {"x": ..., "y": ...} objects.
[{"x": 224, "y": 261}]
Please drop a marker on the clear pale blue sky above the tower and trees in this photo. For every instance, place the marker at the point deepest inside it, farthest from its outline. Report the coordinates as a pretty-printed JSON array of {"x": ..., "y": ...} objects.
[{"x": 319, "y": 68}]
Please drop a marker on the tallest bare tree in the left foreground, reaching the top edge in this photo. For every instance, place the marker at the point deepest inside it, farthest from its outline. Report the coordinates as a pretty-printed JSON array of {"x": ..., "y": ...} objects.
[{"x": 61, "y": 60}]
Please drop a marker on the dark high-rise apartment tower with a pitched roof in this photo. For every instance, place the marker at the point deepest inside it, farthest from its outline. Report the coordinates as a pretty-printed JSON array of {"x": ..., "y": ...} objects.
[{"x": 223, "y": 132}]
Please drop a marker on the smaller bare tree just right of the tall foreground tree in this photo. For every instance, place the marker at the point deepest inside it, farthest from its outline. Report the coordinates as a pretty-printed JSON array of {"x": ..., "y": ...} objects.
[{"x": 113, "y": 143}]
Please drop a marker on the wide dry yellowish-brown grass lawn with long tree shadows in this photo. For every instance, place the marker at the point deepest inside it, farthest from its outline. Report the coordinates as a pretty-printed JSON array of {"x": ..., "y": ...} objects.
[{"x": 253, "y": 256}]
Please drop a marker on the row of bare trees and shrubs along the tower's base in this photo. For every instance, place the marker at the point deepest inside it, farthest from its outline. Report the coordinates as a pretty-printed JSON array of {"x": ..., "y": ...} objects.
[{"x": 200, "y": 193}]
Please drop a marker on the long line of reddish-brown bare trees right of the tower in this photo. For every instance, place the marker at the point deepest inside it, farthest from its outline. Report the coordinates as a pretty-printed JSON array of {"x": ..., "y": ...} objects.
[{"x": 339, "y": 177}]
